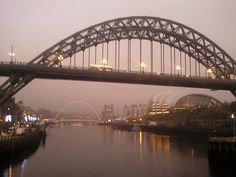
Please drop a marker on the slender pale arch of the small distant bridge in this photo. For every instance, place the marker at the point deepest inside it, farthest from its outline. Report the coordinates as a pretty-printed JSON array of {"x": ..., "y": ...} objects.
[{"x": 76, "y": 102}]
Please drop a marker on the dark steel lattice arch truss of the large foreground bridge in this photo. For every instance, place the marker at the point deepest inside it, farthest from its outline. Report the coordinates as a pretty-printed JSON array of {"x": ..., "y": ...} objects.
[{"x": 168, "y": 32}]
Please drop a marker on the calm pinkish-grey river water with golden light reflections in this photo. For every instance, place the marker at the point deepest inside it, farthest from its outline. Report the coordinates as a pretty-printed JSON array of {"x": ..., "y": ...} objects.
[{"x": 99, "y": 151}]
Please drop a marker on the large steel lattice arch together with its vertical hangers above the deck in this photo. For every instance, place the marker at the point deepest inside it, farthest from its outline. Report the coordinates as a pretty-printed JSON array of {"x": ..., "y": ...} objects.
[{"x": 194, "y": 51}]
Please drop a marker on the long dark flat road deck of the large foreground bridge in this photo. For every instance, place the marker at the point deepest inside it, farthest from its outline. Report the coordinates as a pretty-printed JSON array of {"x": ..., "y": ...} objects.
[{"x": 76, "y": 73}]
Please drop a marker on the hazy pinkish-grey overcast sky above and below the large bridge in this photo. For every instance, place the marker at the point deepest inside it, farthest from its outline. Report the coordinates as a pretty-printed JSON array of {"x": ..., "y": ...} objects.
[{"x": 35, "y": 25}]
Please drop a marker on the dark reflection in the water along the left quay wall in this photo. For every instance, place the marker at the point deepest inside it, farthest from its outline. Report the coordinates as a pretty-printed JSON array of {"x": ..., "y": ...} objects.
[{"x": 19, "y": 161}]
